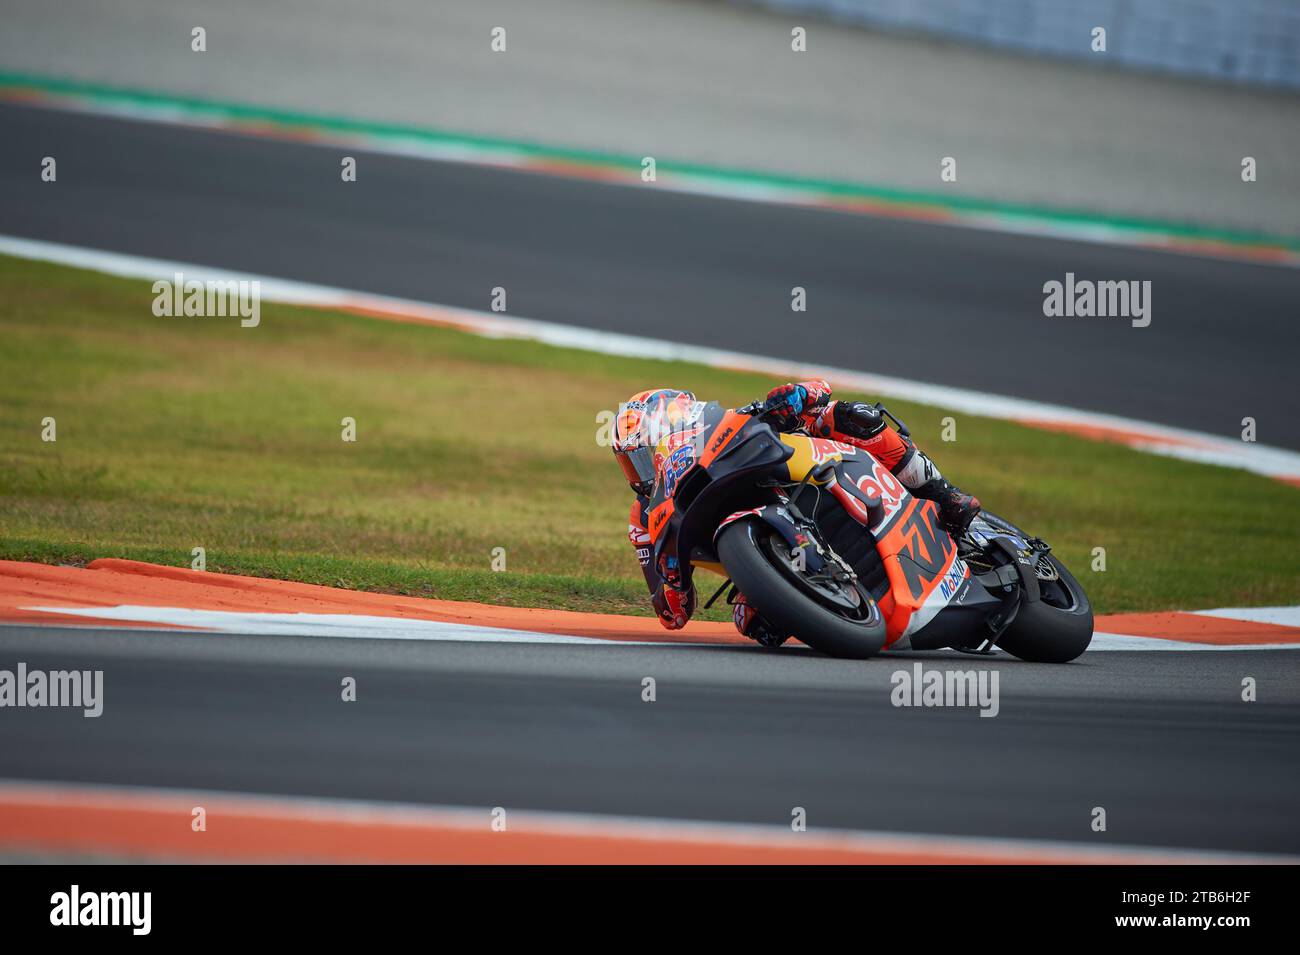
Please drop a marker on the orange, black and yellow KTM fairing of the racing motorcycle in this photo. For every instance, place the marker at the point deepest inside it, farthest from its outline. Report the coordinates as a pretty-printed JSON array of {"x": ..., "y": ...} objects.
[{"x": 829, "y": 501}]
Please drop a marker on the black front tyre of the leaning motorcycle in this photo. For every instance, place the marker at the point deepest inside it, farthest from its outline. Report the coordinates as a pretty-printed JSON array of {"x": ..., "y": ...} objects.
[{"x": 786, "y": 607}]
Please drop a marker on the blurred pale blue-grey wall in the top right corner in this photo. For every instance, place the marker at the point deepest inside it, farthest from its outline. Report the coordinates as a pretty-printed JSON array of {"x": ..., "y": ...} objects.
[{"x": 1242, "y": 41}]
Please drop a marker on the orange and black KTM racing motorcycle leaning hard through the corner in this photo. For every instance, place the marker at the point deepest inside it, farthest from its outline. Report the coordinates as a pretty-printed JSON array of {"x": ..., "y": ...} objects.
[{"x": 830, "y": 548}]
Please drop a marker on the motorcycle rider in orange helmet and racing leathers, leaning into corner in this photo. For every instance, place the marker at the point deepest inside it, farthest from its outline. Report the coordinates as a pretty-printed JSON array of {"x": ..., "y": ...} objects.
[{"x": 799, "y": 405}]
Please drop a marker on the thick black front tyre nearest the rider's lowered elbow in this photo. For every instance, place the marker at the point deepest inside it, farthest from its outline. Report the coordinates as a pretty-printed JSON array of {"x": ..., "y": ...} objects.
[{"x": 844, "y": 626}]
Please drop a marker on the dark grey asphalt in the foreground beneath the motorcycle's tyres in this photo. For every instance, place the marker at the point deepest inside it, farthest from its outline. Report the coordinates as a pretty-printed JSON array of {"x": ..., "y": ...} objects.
[{"x": 1160, "y": 740}]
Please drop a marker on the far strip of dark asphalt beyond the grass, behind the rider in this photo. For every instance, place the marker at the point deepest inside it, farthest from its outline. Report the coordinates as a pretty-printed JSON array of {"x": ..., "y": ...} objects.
[{"x": 942, "y": 305}]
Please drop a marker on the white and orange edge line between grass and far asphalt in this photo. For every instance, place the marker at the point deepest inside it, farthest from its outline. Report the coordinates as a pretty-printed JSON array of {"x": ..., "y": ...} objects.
[{"x": 1162, "y": 440}]
